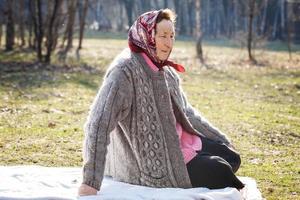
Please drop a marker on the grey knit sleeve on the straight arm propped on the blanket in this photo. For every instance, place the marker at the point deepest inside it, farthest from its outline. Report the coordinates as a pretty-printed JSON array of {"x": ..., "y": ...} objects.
[{"x": 111, "y": 105}]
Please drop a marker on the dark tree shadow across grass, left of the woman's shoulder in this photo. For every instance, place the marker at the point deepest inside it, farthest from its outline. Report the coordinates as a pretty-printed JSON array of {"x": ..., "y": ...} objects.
[{"x": 25, "y": 75}]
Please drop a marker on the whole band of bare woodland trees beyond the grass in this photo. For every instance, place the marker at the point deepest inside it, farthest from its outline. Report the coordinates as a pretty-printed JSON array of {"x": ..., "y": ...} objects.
[{"x": 251, "y": 20}]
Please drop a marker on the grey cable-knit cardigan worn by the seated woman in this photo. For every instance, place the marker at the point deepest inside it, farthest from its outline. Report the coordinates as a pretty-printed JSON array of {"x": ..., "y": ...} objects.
[{"x": 130, "y": 133}]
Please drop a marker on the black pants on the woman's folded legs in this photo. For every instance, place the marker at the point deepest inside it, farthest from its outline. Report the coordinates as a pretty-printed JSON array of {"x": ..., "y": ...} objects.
[{"x": 214, "y": 166}]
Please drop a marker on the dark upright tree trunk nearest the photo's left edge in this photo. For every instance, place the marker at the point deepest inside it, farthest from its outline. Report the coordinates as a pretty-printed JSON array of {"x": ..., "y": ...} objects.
[{"x": 10, "y": 30}]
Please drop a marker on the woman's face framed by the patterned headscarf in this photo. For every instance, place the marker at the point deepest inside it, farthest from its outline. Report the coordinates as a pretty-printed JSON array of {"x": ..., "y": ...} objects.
[{"x": 164, "y": 39}]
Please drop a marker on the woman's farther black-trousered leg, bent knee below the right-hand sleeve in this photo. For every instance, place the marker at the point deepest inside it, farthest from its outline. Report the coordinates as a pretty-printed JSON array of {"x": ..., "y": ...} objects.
[{"x": 223, "y": 151}]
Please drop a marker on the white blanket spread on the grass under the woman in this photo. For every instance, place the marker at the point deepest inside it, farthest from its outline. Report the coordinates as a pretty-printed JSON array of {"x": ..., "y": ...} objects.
[{"x": 39, "y": 183}]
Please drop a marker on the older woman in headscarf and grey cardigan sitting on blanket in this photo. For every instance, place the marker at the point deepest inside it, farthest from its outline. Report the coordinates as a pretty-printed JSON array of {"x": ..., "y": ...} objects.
[{"x": 141, "y": 128}]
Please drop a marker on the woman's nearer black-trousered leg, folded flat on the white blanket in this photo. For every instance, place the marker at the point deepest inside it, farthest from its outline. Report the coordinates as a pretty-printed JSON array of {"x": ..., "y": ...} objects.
[{"x": 212, "y": 172}]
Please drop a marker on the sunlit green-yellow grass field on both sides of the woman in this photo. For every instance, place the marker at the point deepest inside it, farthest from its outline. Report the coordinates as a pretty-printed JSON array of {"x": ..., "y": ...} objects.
[{"x": 42, "y": 110}]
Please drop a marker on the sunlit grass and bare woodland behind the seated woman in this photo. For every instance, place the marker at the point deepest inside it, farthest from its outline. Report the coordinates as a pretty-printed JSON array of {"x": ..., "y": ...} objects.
[{"x": 243, "y": 74}]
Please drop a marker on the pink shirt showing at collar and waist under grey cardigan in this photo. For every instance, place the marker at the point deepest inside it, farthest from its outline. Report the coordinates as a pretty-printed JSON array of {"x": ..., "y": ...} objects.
[{"x": 189, "y": 143}]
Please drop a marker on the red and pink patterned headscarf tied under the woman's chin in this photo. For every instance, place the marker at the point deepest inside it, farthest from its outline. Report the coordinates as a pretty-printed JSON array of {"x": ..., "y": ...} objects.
[{"x": 141, "y": 38}]
